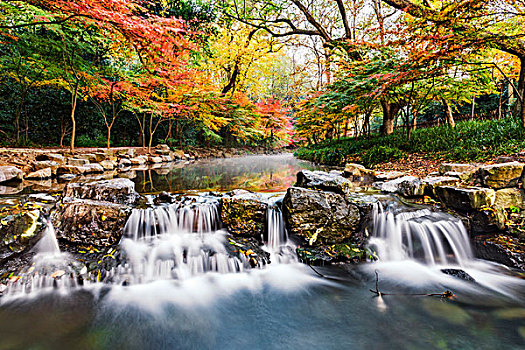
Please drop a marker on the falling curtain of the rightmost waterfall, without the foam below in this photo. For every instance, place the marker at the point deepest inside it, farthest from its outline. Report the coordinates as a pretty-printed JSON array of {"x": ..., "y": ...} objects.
[{"x": 422, "y": 235}]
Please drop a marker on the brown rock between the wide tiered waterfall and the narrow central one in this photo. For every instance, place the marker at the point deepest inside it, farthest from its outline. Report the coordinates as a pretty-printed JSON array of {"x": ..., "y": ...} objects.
[{"x": 244, "y": 214}]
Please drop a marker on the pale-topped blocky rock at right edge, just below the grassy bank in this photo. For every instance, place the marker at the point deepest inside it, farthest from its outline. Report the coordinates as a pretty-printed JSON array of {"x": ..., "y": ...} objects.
[{"x": 502, "y": 175}]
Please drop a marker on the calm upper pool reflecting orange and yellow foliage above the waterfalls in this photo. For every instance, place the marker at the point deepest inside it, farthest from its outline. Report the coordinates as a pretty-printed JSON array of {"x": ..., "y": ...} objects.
[{"x": 262, "y": 173}]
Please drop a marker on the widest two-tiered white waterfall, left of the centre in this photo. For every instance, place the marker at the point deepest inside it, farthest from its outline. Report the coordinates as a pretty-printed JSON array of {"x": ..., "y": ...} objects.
[{"x": 178, "y": 241}]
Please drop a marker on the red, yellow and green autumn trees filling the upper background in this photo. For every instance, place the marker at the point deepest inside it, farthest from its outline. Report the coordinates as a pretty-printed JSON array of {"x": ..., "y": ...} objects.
[{"x": 253, "y": 73}]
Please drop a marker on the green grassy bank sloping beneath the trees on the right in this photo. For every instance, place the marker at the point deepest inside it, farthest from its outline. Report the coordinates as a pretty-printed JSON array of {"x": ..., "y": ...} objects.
[{"x": 468, "y": 141}]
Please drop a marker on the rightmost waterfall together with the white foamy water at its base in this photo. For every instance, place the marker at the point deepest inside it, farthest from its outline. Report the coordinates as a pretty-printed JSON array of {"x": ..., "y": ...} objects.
[{"x": 417, "y": 247}]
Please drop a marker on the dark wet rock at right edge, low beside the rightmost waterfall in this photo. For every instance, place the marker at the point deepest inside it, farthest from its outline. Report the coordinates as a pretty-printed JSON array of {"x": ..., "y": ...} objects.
[{"x": 503, "y": 249}]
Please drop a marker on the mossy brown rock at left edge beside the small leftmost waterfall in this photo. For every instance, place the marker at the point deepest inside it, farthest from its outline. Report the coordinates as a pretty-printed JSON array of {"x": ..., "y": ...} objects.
[{"x": 19, "y": 231}]
